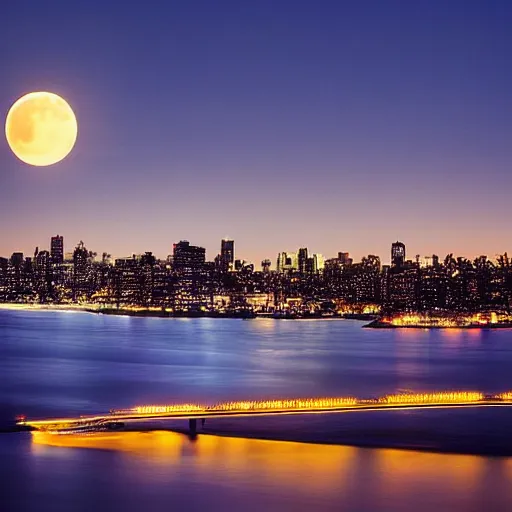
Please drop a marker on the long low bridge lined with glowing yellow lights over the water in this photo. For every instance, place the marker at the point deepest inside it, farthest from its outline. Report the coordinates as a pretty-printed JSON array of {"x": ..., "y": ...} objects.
[{"x": 195, "y": 412}]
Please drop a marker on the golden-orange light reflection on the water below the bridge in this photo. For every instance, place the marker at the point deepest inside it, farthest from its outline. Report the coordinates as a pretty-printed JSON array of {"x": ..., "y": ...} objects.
[{"x": 296, "y": 474}]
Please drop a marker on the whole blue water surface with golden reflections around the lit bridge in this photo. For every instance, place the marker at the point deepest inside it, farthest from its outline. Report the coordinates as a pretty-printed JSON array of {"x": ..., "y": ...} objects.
[{"x": 54, "y": 363}]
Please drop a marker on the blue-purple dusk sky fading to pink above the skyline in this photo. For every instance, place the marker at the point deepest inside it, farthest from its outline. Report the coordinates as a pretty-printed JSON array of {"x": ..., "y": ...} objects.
[{"x": 340, "y": 126}]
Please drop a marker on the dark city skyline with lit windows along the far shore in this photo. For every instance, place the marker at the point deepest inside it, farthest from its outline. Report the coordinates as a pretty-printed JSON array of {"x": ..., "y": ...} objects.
[{"x": 426, "y": 292}]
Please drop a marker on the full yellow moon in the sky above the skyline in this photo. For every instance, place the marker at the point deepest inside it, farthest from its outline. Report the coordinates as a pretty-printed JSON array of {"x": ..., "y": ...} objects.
[{"x": 41, "y": 128}]
